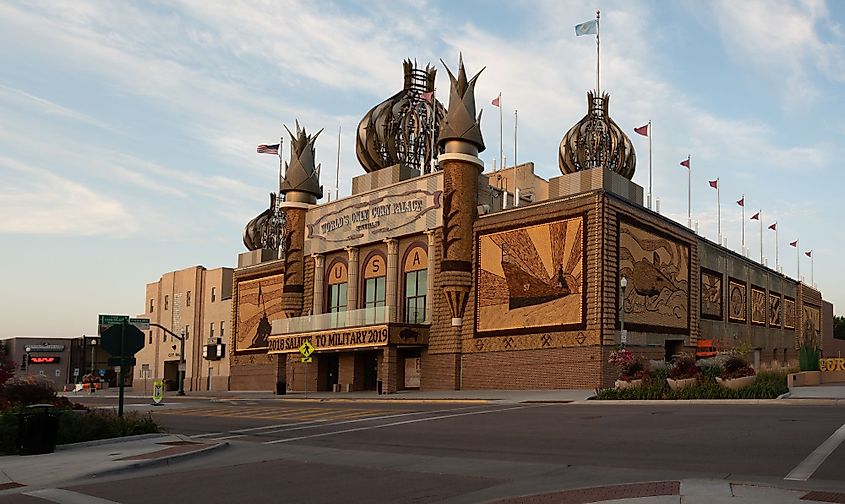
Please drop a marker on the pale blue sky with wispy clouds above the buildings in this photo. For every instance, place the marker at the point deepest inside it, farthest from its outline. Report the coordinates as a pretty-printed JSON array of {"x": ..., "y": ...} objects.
[{"x": 128, "y": 129}]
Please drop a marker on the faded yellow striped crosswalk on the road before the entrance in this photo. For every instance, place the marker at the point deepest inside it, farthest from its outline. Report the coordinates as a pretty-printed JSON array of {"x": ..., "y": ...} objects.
[{"x": 304, "y": 414}]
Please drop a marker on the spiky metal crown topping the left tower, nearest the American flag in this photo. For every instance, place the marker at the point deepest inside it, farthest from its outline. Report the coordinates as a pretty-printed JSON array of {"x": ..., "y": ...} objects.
[{"x": 301, "y": 176}]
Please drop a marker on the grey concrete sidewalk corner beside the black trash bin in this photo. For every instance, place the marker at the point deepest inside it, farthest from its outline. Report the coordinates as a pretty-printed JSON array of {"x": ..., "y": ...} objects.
[{"x": 101, "y": 457}]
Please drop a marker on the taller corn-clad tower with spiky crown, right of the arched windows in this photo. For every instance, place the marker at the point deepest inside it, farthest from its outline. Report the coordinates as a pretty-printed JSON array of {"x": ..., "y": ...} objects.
[{"x": 460, "y": 142}]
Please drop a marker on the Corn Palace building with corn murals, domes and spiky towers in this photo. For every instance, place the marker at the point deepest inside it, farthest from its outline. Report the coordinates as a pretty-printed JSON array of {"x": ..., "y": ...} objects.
[{"x": 444, "y": 276}]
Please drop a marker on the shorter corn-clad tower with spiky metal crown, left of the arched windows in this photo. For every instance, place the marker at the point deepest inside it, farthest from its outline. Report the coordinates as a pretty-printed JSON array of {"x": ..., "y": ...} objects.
[{"x": 301, "y": 188}]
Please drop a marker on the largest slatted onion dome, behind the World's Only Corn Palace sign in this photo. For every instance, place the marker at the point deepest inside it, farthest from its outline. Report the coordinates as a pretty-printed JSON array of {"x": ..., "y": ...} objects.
[{"x": 400, "y": 129}]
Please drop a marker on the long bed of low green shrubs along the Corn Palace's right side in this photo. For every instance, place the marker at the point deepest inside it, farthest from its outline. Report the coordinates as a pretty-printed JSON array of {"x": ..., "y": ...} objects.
[{"x": 768, "y": 385}]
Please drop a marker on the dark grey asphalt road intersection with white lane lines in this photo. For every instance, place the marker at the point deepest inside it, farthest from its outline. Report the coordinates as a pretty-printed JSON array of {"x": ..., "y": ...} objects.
[{"x": 291, "y": 451}]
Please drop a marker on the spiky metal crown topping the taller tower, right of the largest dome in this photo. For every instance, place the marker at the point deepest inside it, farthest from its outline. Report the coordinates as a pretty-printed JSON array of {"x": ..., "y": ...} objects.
[{"x": 461, "y": 122}]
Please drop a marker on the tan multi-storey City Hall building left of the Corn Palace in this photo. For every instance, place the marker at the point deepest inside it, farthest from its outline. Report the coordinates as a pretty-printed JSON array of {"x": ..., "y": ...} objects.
[{"x": 195, "y": 303}]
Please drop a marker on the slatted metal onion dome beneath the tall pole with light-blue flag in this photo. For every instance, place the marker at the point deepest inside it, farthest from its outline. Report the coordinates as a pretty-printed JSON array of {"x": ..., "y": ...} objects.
[{"x": 597, "y": 141}]
